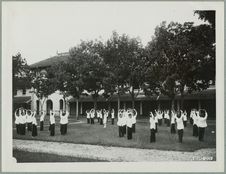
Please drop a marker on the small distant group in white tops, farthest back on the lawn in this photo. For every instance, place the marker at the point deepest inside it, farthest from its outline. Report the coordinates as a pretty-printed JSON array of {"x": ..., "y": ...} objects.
[{"x": 102, "y": 116}]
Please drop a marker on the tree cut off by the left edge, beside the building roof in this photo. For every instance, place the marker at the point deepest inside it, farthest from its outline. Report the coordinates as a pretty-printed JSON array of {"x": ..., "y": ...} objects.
[{"x": 21, "y": 73}]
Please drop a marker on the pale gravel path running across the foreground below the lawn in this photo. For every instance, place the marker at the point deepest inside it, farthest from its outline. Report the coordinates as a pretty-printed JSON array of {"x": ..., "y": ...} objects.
[{"x": 117, "y": 154}]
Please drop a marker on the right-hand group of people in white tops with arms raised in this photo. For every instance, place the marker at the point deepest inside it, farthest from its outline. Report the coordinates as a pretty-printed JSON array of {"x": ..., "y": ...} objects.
[{"x": 179, "y": 118}]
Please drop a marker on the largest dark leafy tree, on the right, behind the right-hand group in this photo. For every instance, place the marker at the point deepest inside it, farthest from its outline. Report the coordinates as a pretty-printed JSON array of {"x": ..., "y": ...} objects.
[{"x": 182, "y": 52}]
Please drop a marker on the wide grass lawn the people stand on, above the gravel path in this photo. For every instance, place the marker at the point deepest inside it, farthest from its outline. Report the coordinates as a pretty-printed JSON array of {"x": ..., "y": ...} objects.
[{"x": 82, "y": 133}]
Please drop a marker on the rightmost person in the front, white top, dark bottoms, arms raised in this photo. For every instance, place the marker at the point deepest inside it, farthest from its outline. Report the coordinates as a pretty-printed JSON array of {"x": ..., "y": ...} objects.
[{"x": 202, "y": 123}]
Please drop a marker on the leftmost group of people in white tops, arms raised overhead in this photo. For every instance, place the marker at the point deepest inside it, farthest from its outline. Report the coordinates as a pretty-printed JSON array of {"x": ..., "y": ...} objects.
[{"x": 27, "y": 118}]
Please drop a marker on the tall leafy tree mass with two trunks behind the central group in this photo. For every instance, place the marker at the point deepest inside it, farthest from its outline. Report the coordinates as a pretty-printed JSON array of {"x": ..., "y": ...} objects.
[{"x": 124, "y": 57}]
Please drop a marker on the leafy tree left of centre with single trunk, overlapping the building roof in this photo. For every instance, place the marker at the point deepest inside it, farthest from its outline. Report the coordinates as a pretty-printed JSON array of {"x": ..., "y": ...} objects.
[{"x": 90, "y": 67}]
